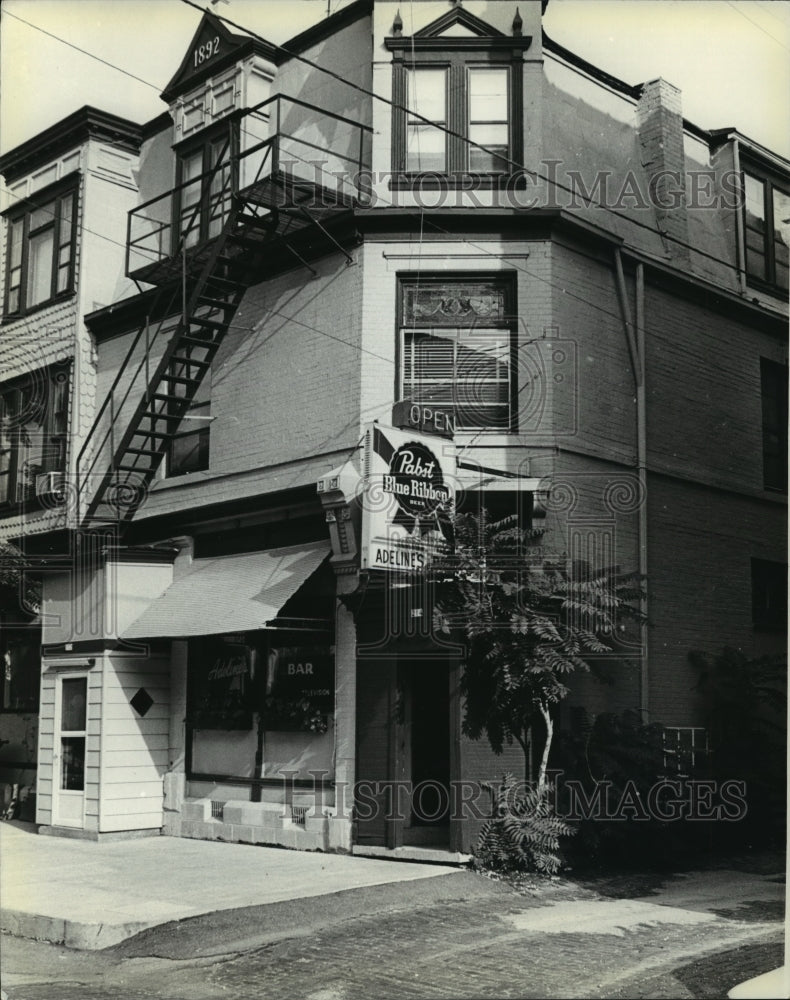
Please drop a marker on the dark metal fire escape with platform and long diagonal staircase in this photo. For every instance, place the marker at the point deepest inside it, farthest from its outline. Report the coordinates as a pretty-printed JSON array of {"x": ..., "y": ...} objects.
[{"x": 201, "y": 245}]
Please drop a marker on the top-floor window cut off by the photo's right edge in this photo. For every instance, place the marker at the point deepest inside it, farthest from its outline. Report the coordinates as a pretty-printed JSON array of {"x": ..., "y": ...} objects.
[{"x": 767, "y": 225}]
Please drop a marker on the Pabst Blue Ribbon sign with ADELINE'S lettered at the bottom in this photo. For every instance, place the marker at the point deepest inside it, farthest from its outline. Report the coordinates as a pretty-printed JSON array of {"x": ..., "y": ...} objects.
[{"x": 407, "y": 500}]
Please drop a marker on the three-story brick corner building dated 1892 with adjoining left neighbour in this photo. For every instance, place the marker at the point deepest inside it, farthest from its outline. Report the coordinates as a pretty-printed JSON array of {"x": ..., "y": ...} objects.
[{"x": 458, "y": 213}]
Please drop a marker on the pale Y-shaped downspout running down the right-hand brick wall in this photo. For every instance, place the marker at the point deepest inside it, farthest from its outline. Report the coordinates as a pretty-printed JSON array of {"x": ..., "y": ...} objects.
[{"x": 636, "y": 350}]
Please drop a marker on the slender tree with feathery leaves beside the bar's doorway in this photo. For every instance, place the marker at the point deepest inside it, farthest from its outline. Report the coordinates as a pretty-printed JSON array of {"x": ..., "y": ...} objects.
[{"x": 529, "y": 623}]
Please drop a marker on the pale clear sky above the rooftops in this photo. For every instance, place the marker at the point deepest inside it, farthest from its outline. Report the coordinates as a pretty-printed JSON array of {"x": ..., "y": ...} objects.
[{"x": 731, "y": 60}]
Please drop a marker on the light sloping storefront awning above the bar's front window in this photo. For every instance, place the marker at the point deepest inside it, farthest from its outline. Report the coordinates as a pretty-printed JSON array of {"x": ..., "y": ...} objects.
[{"x": 229, "y": 593}]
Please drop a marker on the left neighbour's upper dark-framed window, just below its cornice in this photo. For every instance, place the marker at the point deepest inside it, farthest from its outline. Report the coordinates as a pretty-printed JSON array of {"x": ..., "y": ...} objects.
[{"x": 40, "y": 251}]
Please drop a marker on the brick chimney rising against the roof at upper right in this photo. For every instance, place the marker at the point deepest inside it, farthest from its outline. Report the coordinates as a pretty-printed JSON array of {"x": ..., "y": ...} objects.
[{"x": 660, "y": 125}]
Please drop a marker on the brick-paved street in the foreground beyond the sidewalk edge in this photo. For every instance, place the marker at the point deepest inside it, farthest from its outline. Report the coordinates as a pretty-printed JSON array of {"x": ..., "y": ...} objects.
[{"x": 692, "y": 934}]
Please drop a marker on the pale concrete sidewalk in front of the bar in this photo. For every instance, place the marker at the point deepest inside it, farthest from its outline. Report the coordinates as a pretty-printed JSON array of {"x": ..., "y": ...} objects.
[{"x": 91, "y": 895}]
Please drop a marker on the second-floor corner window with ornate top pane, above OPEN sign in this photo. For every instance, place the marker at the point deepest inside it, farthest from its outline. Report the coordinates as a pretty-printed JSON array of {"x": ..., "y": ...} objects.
[{"x": 457, "y": 348}]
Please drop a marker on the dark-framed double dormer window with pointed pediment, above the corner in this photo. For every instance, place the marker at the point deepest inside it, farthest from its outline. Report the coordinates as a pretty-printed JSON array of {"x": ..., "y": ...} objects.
[{"x": 457, "y": 94}]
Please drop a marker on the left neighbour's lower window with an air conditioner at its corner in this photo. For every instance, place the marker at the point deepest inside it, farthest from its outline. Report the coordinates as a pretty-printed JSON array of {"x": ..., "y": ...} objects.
[{"x": 33, "y": 424}]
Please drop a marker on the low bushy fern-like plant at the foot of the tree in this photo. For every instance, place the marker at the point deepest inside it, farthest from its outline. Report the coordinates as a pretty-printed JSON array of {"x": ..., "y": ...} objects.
[{"x": 523, "y": 833}]
